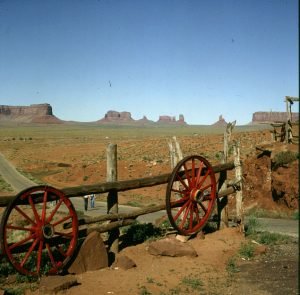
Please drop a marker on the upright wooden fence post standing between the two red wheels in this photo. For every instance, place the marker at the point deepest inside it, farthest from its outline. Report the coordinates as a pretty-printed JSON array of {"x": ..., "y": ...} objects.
[{"x": 112, "y": 197}]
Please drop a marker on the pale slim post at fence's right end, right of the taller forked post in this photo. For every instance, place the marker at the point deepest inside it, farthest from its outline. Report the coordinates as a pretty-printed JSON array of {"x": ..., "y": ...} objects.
[{"x": 239, "y": 193}]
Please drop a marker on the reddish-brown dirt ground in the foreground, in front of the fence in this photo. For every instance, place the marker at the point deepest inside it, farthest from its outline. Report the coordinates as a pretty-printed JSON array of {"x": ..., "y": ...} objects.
[{"x": 274, "y": 271}]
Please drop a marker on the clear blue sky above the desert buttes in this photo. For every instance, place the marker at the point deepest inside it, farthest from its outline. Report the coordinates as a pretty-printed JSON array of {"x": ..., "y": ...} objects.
[{"x": 198, "y": 58}]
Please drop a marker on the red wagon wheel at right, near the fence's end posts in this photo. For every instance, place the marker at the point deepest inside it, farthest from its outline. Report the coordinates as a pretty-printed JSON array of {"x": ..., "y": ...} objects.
[{"x": 191, "y": 194}]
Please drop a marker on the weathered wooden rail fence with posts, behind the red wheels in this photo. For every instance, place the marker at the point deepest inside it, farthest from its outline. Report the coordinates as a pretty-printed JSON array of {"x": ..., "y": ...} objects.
[{"x": 112, "y": 187}]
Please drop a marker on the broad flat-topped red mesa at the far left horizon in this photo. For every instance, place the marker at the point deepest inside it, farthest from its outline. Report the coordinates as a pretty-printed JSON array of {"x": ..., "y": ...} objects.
[{"x": 35, "y": 113}]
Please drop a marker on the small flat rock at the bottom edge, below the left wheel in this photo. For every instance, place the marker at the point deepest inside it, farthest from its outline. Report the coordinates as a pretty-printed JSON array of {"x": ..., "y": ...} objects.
[{"x": 54, "y": 284}]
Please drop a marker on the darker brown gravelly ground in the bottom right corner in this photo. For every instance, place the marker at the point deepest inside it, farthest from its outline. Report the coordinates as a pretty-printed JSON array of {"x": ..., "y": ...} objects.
[{"x": 276, "y": 272}]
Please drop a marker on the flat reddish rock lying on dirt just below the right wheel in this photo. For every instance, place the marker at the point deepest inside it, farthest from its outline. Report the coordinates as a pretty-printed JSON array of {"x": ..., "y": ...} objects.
[{"x": 171, "y": 247}]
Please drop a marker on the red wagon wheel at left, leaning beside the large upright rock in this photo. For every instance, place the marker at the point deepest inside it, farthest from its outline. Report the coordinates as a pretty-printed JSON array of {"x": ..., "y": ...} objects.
[{"x": 32, "y": 233}]
